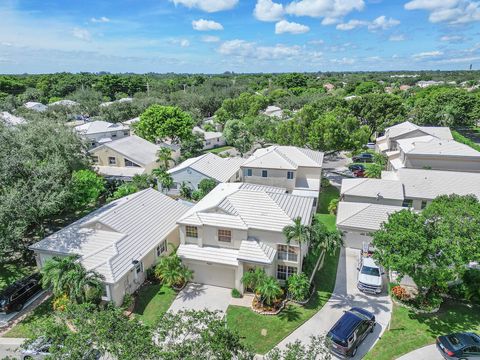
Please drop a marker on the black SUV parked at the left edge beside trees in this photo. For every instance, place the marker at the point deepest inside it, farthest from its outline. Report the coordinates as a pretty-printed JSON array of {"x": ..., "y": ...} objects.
[{"x": 14, "y": 297}]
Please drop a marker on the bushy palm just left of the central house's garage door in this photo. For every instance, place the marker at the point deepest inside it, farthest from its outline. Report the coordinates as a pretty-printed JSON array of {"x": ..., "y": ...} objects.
[{"x": 172, "y": 272}]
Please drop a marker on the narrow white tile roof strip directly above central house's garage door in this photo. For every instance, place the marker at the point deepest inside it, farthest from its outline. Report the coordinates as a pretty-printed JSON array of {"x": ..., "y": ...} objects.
[{"x": 217, "y": 255}]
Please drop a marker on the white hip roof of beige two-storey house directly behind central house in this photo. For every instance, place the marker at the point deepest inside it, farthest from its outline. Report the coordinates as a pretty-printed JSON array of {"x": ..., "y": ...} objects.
[{"x": 284, "y": 157}]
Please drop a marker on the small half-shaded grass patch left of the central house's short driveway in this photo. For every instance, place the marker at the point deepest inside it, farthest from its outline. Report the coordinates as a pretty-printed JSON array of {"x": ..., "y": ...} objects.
[{"x": 152, "y": 302}]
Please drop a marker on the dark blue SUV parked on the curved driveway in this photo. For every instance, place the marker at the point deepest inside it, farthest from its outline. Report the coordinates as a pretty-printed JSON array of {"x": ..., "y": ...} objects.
[{"x": 350, "y": 330}]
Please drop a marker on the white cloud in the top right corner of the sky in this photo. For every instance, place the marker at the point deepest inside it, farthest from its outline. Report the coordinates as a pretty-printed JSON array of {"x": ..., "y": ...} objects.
[{"x": 449, "y": 11}]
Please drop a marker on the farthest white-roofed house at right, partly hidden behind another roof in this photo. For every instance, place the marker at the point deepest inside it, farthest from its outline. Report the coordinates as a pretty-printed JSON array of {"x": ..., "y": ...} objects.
[{"x": 405, "y": 130}]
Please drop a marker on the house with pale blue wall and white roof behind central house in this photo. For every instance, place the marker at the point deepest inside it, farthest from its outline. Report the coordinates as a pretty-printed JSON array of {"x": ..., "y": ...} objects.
[{"x": 208, "y": 166}]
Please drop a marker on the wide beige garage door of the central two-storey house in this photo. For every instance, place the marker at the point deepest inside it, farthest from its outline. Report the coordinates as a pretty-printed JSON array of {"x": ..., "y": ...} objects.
[{"x": 216, "y": 275}]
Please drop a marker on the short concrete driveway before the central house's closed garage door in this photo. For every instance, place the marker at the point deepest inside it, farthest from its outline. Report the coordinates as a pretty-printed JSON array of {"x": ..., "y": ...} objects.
[{"x": 201, "y": 297}]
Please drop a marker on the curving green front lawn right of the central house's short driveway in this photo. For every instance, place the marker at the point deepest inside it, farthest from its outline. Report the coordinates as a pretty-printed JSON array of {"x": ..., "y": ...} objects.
[{"x": 250, "y": 324}]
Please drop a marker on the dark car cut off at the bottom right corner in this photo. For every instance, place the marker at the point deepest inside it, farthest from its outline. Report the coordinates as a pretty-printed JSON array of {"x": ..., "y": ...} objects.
[{"x": 459, "y": 346}]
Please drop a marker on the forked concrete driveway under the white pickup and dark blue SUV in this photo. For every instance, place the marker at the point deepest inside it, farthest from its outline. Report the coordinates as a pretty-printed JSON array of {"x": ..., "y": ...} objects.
[{"x": 345, "y": 296}]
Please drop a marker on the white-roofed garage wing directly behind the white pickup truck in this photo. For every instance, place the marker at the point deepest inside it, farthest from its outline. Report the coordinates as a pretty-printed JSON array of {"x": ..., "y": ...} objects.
[{"x": 357, "y": 221}]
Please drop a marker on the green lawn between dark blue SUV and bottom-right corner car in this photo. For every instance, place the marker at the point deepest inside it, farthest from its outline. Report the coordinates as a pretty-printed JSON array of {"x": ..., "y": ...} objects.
[{"x": 410, "y": 331}]
